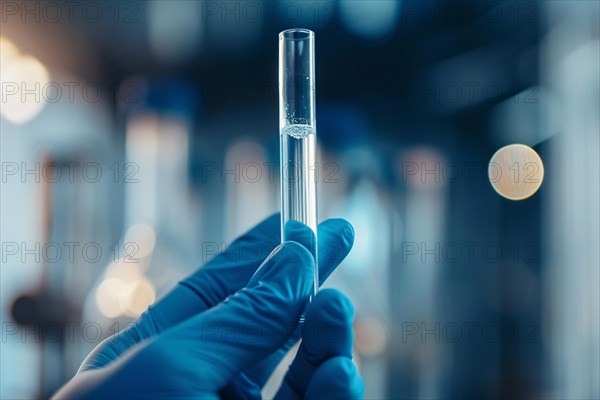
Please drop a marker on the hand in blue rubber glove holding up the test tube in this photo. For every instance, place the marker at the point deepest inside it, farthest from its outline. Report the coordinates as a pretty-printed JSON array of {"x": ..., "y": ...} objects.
[{"x": 222, "y": 331}]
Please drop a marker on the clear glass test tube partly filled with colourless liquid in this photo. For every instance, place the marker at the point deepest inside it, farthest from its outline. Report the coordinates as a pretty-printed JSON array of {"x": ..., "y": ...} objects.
[{"x": 298, "y": 132}]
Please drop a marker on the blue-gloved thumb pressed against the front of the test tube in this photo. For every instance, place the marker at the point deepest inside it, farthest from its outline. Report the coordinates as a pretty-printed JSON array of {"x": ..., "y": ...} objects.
[{"x": 253, "y": 322}]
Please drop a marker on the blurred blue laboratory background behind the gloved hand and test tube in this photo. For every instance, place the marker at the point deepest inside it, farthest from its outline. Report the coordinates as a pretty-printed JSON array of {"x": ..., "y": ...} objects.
[{"x": 139, "y": 138}]
